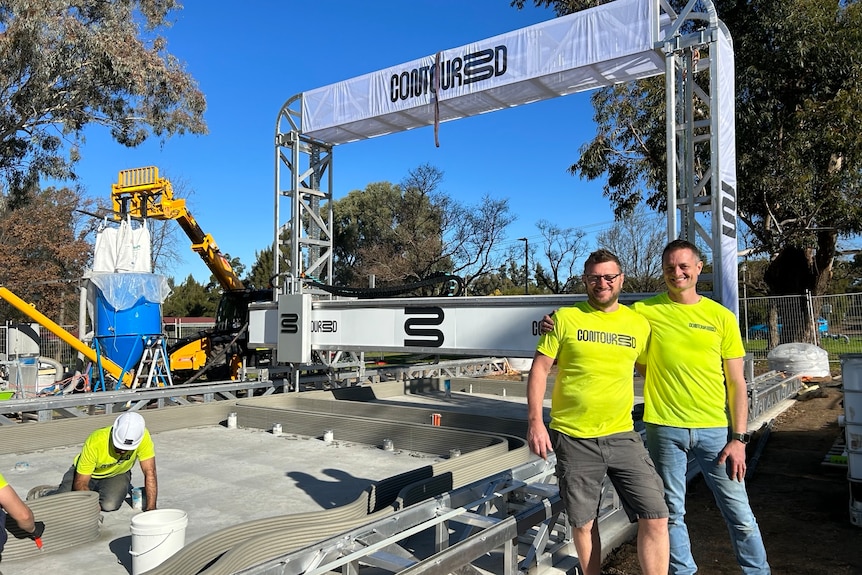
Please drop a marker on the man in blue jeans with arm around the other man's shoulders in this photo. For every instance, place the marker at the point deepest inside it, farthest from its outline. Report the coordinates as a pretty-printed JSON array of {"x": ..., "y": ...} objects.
[{"x": 696, "y": 406}]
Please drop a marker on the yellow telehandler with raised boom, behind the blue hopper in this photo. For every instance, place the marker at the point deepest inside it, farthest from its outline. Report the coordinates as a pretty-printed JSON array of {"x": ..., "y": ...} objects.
[{"x": 222, "y": 350}]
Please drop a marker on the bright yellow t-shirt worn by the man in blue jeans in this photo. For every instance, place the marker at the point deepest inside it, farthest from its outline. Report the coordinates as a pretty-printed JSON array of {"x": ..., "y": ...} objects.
[{"x": 685, "y": 372}]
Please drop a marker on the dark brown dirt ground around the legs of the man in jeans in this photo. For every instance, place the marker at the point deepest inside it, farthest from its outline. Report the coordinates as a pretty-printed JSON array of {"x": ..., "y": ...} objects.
[{"x": 801, "y": 505}]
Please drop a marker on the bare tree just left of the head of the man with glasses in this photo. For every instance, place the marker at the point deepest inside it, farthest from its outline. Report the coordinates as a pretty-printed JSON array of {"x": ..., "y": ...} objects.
[{"x": 562, "y": 248}]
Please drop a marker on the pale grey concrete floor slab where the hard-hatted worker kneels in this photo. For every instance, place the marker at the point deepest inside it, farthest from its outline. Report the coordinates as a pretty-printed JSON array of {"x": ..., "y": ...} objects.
[{"x": 219, "y": 477}]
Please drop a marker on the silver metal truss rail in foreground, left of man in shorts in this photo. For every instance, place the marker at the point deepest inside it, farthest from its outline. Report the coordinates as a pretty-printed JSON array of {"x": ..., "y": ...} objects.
[{"x": 506, "y": 524}]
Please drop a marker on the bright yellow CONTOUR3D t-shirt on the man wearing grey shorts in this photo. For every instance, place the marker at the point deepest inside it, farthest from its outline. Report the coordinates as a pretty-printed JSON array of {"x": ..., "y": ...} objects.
[{"x": 595, "y": 351}]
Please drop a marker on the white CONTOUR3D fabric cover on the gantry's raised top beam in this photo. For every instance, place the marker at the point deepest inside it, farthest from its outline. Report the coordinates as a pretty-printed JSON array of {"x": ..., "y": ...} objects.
[{"x": 598, "y": 47}]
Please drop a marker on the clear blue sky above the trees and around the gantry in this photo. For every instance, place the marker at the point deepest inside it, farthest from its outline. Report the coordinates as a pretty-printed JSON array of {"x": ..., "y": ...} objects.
[{"x": 249, "y": 61}]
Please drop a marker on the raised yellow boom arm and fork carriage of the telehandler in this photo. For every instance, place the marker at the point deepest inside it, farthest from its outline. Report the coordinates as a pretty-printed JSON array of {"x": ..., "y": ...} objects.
[{"x": 141, "y": 193}]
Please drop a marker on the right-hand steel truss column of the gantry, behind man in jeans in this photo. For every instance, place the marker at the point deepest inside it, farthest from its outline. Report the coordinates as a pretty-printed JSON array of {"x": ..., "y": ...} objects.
[{"x": 690, "y": 45}]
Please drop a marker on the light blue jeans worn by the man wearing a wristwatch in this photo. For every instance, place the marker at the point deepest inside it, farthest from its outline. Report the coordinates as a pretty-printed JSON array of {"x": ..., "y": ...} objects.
[{"x": 670, "y": 449}]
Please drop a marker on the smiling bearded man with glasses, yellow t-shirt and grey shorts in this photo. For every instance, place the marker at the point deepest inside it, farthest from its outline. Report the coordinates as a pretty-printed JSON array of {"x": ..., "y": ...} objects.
[{"x": 596, "y": 344}]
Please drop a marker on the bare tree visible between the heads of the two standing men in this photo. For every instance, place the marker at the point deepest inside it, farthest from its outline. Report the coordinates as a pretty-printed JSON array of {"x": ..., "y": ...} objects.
[{"x": 638, "y": 241}]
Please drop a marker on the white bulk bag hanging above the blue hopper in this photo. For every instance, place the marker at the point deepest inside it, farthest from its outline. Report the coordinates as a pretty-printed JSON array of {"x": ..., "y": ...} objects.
[{"x": 124, "y": 248}]
